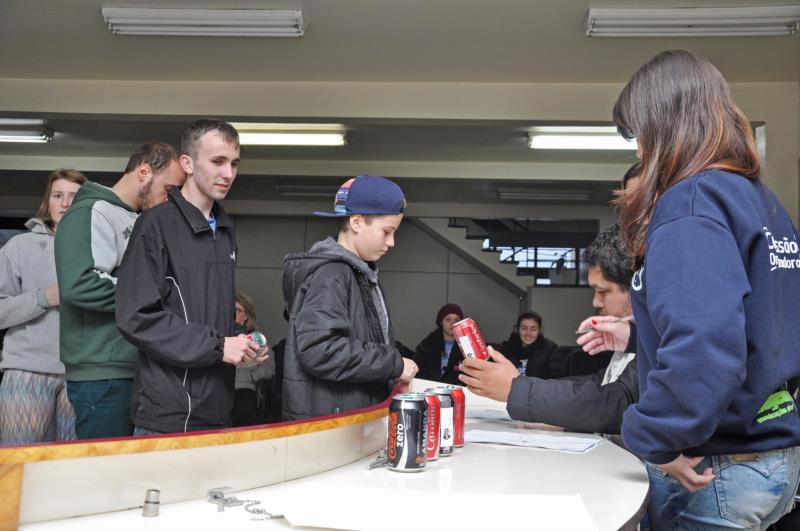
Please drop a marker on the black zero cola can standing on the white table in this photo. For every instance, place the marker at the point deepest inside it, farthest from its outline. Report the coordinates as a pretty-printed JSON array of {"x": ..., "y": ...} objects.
[{"x": 408, "y": 423}]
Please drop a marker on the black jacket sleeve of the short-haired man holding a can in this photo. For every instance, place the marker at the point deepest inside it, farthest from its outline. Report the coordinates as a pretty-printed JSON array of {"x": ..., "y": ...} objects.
[{"x": 144, "y": 319}]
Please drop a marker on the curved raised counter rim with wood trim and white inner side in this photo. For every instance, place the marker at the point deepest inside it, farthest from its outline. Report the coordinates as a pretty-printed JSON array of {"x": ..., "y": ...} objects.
[{"x": 278, "y": 452}]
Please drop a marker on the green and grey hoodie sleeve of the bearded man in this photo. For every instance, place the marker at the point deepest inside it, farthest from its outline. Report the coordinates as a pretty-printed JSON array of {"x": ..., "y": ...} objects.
[{"x": 86, "y": 260}]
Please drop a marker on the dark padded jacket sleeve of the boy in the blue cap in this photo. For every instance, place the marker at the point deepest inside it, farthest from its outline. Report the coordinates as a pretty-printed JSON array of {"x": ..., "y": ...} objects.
[{"x": 325, "y": 346}]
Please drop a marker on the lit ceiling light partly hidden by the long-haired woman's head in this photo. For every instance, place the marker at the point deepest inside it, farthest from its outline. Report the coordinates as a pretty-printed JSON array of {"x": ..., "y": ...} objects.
[{"x": 578, "y": 137}]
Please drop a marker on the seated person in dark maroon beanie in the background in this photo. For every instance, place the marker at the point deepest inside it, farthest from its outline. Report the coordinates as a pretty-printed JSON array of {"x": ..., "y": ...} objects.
[{"x": 438, "y": 355}]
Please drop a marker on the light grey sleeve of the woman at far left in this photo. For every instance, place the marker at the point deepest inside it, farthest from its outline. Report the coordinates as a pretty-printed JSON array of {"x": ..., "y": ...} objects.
[{"x": 17, "y": 307}]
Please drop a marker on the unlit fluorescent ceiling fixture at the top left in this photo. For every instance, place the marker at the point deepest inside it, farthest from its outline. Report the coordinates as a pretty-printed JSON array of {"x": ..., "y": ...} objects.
[{"x": 205, "y": 22}]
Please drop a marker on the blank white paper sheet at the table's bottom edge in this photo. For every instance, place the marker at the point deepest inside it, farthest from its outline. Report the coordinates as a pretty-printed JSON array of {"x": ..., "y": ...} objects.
[{"x": 340, "y": 506}]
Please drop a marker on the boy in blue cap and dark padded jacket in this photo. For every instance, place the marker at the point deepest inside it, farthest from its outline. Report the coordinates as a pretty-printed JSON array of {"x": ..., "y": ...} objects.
[{"x": 340, "y": 352}]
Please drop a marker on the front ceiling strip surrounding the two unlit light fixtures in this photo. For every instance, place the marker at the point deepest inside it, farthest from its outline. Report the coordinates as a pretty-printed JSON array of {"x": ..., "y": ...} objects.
[{"x": 372, "y": 40}]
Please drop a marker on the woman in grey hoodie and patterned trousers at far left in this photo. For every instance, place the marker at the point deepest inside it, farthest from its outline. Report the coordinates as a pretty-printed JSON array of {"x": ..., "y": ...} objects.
[{"x": 33, "y": 396}]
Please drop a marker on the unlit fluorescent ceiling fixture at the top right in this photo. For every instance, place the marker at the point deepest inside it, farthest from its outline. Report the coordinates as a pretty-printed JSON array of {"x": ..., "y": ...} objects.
[{"x": 694, "y": 22}]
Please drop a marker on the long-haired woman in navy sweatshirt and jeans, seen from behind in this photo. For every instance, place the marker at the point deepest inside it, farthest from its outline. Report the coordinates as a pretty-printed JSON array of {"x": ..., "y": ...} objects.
[{"x": 716, "y": 297}]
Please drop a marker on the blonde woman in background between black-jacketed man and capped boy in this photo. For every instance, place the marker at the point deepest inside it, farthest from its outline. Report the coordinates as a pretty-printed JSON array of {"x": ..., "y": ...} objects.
[{"x": 248, "y": 409}]
